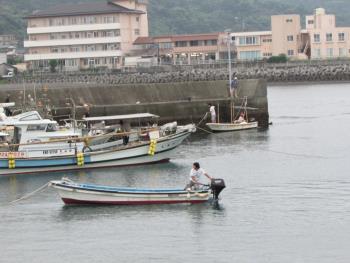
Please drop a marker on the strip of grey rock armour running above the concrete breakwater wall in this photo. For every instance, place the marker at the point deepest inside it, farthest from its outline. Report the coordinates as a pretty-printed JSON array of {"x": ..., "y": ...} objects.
[{"x": 300, "y": 73}]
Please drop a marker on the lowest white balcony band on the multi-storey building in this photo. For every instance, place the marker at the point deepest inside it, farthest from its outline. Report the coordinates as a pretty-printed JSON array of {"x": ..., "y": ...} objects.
[{"x": 73, "y": 55}]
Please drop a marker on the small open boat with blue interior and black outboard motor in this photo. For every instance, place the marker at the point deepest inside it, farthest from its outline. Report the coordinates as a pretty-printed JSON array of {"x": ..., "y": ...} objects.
[{"x": 73, "y": 193}]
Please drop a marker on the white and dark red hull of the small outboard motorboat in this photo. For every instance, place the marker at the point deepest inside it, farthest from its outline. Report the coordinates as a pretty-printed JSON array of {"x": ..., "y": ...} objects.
[{"x": 75, "y": 195}]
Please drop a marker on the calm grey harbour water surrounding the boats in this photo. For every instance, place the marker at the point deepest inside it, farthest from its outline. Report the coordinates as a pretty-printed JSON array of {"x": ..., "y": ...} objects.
[{"x": 287, "y": 200}]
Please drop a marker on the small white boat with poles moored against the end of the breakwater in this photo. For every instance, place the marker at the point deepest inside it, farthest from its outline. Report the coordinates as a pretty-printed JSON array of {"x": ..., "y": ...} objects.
[{"x": 242, "y": 123}]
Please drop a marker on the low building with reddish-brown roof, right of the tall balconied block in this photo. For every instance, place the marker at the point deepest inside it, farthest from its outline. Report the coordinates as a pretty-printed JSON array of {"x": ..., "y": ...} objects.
[{"x": 183, "y": 49}]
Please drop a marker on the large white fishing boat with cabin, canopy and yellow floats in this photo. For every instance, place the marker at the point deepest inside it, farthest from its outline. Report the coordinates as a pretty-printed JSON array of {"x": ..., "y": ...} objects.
[{"x": 40, "y": 145}]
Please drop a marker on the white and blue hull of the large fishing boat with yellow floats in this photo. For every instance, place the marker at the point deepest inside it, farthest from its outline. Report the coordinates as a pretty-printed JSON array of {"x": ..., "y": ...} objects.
[{"x": 137, "y": 155}]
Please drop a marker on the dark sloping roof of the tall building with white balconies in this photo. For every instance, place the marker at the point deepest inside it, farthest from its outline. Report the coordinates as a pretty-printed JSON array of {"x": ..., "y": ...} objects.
[{"x": 83, "y": 9}]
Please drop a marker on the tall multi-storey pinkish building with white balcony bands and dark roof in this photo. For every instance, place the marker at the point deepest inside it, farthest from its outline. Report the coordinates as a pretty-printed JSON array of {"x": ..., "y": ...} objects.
[{"x": 85, "y": 35}]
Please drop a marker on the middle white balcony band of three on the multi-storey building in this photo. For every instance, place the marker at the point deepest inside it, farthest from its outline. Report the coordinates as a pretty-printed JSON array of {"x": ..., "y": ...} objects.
[{"x": 71, "y": 42}]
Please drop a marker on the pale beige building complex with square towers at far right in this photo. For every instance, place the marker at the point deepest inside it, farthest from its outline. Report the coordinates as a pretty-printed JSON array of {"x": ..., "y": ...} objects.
[{"x": 320, "y": 39}]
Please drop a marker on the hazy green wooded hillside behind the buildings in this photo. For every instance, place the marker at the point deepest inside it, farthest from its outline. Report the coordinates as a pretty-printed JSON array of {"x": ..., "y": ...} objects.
[{"x": 190, "y": 16}]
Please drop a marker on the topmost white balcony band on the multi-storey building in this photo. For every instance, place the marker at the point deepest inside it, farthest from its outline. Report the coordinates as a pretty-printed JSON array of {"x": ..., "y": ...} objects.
[{"x": 72, "y": 28}]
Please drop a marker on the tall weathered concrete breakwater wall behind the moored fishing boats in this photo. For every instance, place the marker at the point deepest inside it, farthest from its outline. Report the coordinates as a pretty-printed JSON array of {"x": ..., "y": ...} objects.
[{"x": 181, "y": 101}]
